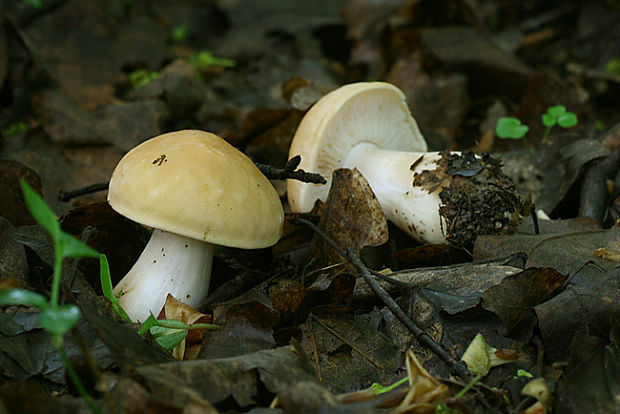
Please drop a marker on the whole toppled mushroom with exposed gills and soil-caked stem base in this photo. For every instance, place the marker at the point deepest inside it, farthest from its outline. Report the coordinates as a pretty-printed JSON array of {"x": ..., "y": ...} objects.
[{"x": 435, "y": 197}]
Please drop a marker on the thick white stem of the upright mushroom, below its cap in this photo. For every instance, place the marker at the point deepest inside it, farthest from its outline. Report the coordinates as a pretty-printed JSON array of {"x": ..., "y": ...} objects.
[{"x": 170, "y": 264}]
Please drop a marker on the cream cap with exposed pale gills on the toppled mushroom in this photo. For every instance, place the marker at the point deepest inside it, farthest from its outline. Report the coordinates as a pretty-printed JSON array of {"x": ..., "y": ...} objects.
[{"x": 365, "y": 112}]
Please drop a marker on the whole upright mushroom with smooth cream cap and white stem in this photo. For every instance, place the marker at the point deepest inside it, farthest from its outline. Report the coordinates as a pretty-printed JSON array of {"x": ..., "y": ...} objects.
[{"x": 196, "y": 191}]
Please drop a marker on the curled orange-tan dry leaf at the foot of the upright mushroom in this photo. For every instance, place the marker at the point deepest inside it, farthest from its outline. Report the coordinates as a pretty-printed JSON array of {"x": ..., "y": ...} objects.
[{"x": 175, "y": 309}]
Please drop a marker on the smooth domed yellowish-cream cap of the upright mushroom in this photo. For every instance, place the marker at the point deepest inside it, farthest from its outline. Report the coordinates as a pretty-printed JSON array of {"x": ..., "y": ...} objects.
[{"x": 195, "y": 184}]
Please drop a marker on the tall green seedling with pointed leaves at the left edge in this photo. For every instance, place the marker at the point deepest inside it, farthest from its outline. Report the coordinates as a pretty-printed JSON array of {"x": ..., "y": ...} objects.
[{"x": 54, "y": 318}]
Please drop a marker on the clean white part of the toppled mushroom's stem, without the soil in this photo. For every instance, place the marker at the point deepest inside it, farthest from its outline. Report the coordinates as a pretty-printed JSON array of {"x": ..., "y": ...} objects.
[{"x": 390, "y": 176}]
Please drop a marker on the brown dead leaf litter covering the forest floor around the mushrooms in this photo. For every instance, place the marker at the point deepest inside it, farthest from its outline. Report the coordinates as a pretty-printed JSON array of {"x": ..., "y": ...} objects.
[{"x": 301, "y": 330}]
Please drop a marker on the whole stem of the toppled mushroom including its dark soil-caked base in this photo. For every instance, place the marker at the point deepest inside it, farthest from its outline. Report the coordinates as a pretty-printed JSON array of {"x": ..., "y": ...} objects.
[{"x": 439, "y": 197}]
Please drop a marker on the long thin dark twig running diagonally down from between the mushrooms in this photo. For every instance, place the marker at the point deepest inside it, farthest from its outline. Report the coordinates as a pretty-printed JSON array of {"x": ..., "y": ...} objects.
[{"x": 457, "y": 367}]
